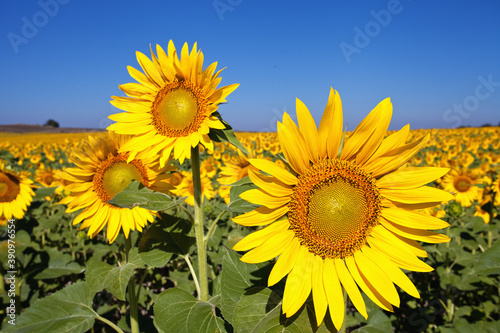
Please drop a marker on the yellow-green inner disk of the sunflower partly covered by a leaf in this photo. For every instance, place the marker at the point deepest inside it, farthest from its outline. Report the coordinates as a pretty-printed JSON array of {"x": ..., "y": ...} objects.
[{"x": 118, "y": 176}]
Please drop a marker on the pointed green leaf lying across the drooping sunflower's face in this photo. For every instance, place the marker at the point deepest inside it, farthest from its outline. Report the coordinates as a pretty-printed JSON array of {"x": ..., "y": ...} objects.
[{"x": 137, "y": 195}]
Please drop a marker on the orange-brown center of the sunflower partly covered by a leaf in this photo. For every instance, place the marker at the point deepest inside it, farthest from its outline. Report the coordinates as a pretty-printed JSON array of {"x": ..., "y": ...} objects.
[{"x": 115, "y": 174}]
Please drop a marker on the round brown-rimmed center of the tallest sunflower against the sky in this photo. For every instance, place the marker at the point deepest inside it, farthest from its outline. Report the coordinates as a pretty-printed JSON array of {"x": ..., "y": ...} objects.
[{"x": 179, "y": 109}]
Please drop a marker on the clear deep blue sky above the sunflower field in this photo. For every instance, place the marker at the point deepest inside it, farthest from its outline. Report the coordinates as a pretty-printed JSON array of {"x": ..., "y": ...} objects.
[{"x": 439, "y": 61}]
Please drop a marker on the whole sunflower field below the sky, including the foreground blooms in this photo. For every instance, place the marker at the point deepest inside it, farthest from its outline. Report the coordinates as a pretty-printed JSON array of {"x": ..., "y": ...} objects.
[{"x": 171, "y": 222}]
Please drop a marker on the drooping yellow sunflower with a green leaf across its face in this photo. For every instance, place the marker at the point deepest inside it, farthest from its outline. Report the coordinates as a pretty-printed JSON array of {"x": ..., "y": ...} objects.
[{"x": 101, "y": 172}]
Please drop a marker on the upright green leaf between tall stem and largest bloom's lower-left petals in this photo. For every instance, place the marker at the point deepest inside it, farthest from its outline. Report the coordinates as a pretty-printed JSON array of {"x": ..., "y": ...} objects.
[{"x": 236, "y": 278}]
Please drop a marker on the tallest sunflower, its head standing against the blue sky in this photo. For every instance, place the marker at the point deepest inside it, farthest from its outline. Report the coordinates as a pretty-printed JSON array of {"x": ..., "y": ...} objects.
[{"x": 172, "y": 107}]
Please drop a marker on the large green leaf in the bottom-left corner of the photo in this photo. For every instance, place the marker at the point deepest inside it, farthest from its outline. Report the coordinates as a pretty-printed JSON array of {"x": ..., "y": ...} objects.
[{"x": 67, "y": 310}]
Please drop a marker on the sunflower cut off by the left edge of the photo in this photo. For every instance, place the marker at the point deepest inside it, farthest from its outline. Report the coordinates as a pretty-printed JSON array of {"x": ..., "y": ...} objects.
[{"x": 15, "y": 193}]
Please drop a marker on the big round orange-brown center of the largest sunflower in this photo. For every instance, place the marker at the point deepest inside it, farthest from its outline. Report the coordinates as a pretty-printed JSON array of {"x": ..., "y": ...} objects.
[{"x": 334, "y": 207}]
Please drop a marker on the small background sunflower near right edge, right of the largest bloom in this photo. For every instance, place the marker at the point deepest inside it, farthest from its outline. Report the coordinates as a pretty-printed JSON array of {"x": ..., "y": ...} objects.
[{"x": 463, "y": 182}]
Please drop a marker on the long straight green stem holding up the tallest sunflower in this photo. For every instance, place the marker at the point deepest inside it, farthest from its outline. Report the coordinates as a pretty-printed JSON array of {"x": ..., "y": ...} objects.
[{"x": 198, "y": 225}]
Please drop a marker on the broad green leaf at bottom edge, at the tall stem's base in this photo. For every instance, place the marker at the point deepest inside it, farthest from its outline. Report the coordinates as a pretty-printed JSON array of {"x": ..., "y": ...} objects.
[{"x": 178, "y": 311}]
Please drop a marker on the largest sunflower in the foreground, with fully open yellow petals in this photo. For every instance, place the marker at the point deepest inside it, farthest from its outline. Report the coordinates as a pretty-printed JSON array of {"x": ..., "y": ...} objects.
[{"x": 345, "y": 215}]
